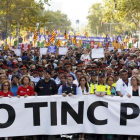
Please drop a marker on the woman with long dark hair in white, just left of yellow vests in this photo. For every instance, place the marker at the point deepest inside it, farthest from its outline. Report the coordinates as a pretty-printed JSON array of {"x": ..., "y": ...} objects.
[{"x": 84, "y": 89}]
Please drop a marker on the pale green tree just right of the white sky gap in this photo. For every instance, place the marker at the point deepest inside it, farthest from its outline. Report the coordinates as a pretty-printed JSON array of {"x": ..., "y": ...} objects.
[{"x": 95, "y": 18}]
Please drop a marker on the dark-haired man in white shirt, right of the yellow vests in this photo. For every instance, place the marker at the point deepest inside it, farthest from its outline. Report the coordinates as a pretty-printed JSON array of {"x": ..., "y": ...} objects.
[{"x": 123, "y": 83}]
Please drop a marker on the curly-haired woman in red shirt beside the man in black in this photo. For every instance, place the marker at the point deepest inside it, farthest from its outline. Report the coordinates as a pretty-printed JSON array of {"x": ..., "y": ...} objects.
[{"x": 25, "y": 90}]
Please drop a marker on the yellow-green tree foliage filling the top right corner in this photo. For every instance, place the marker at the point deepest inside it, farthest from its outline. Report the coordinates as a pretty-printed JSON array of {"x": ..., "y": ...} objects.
[{"x": 124, "y": 12}]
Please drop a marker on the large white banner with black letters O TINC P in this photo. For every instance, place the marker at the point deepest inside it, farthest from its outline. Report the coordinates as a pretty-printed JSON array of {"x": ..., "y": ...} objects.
[{"x": 63, "y": 115}]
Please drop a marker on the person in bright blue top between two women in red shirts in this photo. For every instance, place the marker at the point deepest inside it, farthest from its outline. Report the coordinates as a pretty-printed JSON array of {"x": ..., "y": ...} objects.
[{"x": 14, "y": 84}]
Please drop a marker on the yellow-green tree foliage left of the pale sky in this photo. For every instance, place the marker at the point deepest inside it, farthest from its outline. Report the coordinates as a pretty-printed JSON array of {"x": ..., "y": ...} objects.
[{"x": 26, "y": 13}]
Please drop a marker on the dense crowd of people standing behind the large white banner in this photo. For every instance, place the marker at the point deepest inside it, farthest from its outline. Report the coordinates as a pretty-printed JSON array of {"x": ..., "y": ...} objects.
[{"x": 76, "y": 73}]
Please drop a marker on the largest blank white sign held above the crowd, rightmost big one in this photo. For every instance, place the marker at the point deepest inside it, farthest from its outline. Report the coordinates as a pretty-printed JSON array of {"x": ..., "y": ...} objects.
[{"x": 98, "y": 53}]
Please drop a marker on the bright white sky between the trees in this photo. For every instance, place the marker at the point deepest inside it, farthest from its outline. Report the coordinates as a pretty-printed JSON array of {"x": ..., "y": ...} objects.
[{"x": 75, "y": 9}]
